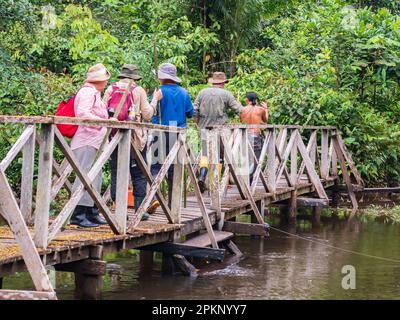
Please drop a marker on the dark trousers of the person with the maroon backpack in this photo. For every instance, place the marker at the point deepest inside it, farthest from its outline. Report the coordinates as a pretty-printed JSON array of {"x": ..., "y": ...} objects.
[{"x": 139, "y": 181}]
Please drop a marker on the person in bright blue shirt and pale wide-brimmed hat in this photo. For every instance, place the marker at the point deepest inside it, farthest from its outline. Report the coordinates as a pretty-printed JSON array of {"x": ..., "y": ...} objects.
[{"x": 174, "y": 107}]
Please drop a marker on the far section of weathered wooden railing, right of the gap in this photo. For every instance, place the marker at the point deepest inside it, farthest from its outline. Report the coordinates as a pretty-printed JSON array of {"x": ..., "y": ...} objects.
[{"x": 288, "y": 157}]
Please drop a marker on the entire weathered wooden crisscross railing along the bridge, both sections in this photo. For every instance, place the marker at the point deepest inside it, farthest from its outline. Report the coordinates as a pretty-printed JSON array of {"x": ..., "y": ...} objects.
[{"x": 41, "y": 144}]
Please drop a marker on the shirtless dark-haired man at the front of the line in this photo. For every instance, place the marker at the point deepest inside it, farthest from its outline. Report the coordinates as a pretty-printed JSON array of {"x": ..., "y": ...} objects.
[{"x": 254, "y": 114}]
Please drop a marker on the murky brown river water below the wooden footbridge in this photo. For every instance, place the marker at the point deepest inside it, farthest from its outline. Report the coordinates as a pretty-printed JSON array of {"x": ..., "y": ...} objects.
[{"x": 278, "y": 267}]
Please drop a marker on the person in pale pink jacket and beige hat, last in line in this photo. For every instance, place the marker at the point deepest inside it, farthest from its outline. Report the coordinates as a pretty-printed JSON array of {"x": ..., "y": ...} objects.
[{"x": 87, "y": 140}]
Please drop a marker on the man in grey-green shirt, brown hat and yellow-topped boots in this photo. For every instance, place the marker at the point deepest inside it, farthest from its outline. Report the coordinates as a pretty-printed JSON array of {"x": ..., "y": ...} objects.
[{"x": 211, "y": 109}]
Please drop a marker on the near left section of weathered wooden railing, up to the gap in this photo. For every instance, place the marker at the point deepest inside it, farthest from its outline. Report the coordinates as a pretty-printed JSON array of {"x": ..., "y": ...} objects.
[{"x": 28, "y": 204}]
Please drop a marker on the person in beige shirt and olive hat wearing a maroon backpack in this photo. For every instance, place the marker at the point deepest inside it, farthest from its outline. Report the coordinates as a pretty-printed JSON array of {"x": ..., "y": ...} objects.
[{"x": 136, "y": 108}]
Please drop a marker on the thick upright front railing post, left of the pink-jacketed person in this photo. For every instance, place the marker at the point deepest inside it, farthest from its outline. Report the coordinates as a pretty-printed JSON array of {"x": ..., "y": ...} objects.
[{"x": 44, "y": 185}]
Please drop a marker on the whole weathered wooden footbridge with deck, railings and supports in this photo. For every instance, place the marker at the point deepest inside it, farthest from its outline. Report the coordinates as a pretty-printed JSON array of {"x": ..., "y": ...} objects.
[{"x": 296, "y": 166}]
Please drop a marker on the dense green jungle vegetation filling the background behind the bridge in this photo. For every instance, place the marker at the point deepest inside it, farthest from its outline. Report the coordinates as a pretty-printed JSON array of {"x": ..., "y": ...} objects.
[{"x": 320, "y": 62}]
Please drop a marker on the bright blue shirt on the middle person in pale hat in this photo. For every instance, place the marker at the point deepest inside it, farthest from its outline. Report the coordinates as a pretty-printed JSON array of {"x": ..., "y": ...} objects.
[{"x": 176, "y": 106}]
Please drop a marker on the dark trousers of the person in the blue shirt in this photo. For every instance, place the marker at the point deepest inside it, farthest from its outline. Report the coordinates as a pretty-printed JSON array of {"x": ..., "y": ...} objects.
[{"x": 158, "y": 158}]
